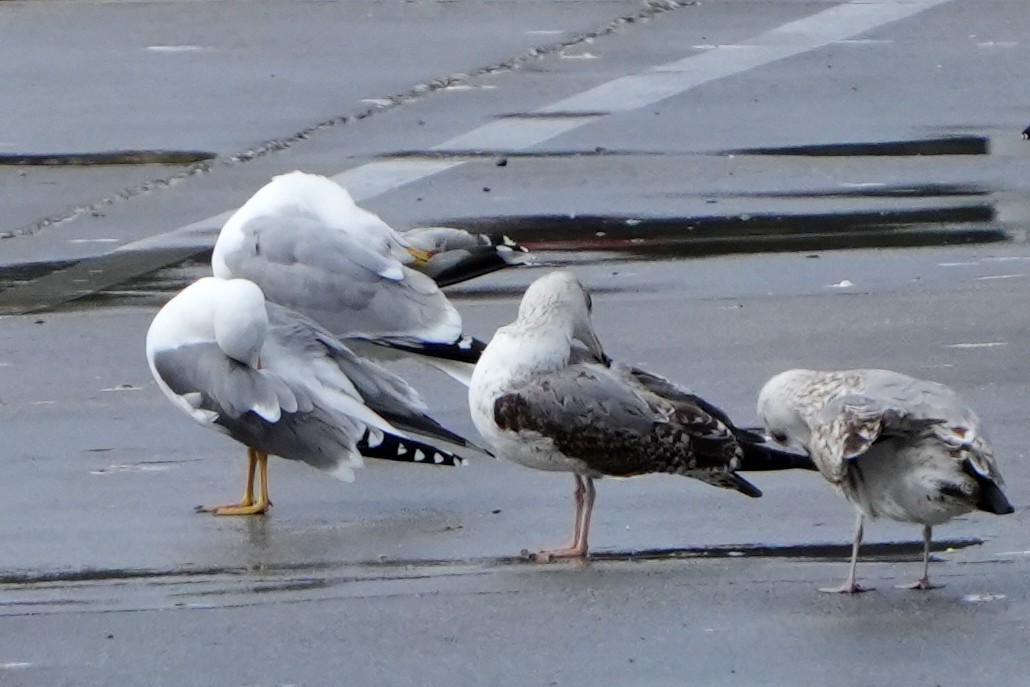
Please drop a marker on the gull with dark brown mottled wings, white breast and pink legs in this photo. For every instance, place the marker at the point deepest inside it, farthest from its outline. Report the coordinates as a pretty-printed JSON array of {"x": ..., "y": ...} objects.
[{"x": 546, "y": 396}]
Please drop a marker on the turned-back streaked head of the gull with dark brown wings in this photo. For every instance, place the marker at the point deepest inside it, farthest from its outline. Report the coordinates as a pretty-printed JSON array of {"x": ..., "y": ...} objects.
[{"x": 559, "y": 299}]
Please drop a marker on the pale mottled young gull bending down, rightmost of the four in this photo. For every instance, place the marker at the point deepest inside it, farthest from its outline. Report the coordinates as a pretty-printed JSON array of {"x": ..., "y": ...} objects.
[{"x": 894, "y": 445}]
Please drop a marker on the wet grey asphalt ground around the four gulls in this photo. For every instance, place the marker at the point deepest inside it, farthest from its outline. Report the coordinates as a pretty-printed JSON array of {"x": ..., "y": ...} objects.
[{"x": 728, "y": 232}]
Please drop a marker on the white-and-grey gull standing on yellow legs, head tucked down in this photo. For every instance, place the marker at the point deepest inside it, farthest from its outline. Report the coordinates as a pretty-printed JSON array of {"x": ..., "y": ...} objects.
[{"x": 281, "y": 385}]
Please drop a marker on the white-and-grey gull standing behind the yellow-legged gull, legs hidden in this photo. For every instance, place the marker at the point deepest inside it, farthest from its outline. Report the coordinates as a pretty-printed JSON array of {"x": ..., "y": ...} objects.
[{"x": 305, "y": 243}]
